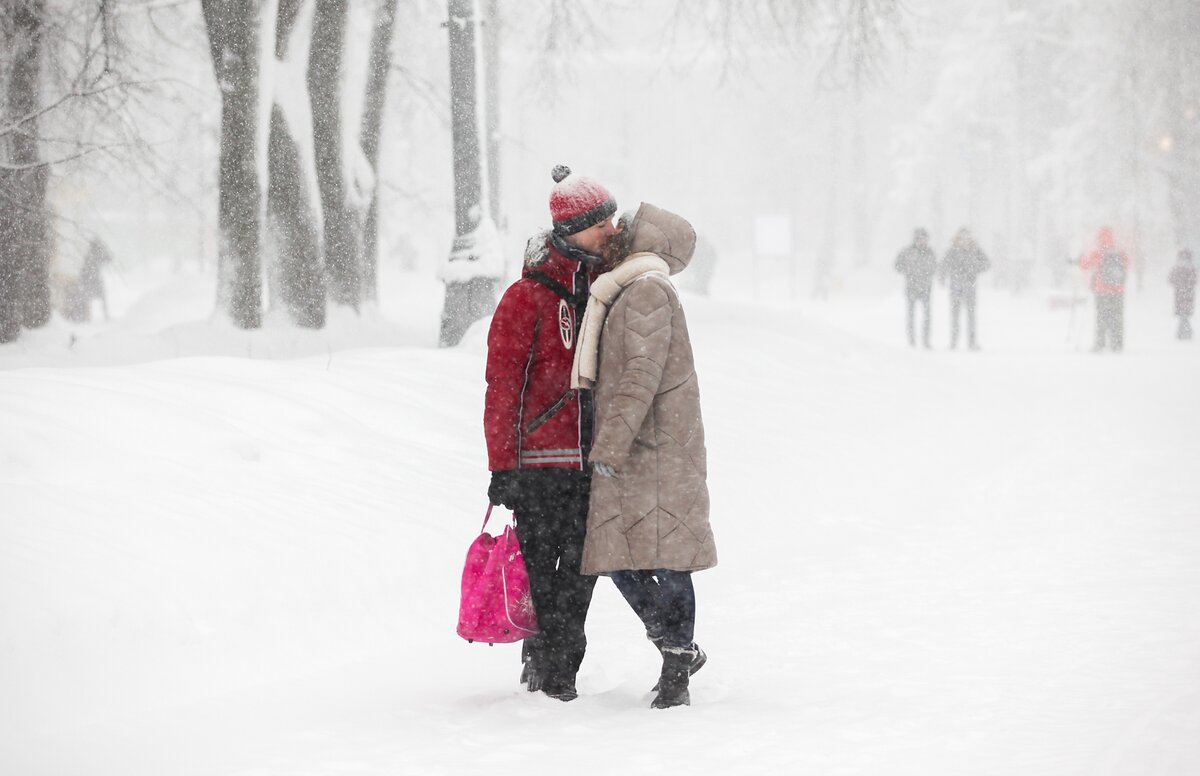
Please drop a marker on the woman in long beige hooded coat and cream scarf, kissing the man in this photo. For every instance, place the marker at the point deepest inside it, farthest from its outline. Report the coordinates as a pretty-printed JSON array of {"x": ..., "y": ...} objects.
[{"x": 649, "y": 518}]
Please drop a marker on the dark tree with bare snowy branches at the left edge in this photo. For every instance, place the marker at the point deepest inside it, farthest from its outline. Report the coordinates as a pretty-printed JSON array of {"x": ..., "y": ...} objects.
[{"x": 62, "y": 75}]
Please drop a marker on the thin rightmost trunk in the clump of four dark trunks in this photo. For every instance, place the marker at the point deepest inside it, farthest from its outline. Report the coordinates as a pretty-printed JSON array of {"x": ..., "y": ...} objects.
[{"x": 373, "y": 128}]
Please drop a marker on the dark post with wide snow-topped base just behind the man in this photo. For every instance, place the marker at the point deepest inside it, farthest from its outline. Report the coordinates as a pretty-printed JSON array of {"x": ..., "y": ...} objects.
[{"x": 470, "y": 297}]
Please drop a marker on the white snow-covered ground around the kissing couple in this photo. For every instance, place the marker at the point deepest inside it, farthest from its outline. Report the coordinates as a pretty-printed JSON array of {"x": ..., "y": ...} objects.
[{"x": 231, "y": 554}]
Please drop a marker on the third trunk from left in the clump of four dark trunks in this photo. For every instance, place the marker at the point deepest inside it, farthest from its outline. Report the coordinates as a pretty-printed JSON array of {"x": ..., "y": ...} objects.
[{"x": 341, "y": 227}]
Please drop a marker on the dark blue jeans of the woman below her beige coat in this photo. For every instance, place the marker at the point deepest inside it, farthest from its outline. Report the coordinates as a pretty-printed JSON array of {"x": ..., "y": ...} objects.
[{"x": 664, "y": 600}]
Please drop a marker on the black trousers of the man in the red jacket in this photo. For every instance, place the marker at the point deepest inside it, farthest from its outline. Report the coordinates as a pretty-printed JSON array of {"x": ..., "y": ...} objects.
[{"x": 551, "y": 522}]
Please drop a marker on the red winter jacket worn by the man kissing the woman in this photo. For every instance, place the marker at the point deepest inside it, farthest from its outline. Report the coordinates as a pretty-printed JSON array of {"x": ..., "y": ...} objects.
[{"x": 532, "y": 418}]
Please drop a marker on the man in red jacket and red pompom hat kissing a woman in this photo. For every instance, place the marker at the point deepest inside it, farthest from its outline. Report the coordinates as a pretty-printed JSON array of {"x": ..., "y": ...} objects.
[{"x": 539, "y": 431}]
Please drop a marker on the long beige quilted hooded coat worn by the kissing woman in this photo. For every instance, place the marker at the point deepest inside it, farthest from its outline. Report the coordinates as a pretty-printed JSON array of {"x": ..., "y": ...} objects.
[{"x": 655, "y": 513}]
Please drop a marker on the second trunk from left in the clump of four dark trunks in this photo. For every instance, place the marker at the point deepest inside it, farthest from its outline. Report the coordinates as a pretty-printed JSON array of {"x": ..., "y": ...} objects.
[{"x": 291, "y": 215}]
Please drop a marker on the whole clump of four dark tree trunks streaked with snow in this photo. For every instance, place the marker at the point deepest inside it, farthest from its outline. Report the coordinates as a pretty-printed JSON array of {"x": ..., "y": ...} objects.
[{"x": 321, "y": 152}]
